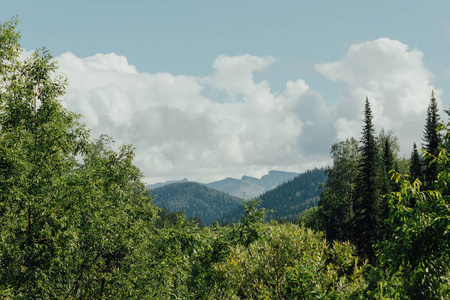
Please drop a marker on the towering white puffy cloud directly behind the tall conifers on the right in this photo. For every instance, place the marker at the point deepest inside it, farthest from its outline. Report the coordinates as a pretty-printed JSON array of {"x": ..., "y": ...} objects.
[{"x": 396, "y": 82}]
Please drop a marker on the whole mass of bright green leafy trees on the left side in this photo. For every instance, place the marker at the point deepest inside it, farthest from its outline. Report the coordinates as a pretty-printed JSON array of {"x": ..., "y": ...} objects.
[{"x": 73, "y": 212}]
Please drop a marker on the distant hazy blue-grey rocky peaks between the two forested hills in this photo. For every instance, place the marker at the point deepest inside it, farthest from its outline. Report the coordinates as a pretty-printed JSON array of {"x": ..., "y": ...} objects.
[{"x": 251, "y": 186}]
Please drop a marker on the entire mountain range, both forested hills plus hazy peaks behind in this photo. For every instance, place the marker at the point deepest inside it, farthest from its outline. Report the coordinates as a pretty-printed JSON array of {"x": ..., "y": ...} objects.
[{"x": 286, "y": 200}]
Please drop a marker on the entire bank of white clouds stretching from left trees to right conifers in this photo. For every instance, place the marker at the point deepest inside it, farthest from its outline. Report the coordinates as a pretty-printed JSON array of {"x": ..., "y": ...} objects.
[{"x": 227, "y": 124}]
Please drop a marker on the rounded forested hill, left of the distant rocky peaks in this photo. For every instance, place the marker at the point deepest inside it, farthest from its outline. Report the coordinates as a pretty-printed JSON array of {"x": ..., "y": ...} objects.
[{"x": 195, "y": 199}]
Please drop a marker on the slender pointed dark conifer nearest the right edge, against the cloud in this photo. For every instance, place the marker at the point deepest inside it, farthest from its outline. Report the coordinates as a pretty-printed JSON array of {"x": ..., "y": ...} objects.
[{"x": 433, "y": 141}]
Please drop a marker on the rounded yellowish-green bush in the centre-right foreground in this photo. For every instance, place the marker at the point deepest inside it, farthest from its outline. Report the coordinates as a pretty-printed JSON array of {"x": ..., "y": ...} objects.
[{"x": 290, "y": 263}]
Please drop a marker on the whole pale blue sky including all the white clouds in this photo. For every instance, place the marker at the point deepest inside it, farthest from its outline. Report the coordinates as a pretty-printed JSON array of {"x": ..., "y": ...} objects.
[{"x": 212, "y": 89}]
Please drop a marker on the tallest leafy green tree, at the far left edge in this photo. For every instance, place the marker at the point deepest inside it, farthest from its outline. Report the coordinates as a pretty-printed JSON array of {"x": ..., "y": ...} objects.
[{"x": 39, "y": 141}]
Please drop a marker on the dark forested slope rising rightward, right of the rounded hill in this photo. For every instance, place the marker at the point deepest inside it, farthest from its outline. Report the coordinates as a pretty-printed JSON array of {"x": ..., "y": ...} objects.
[{"x": 290, "y": 199}]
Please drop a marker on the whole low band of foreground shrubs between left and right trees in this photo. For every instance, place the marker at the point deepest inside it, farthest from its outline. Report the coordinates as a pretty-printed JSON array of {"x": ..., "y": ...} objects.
[{"x": 250, "y": 260}]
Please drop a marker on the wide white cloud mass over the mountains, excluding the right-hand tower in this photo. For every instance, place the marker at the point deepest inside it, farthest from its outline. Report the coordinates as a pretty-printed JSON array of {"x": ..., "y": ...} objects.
[{"x": 178, "y": 132}]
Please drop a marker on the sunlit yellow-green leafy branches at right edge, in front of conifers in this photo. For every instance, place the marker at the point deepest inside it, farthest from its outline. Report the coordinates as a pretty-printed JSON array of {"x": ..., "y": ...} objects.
[{"x": 417, "y": 256}]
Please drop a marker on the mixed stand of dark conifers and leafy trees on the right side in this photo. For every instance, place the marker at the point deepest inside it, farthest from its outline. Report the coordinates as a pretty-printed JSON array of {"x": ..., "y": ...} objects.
[{"x": 395, "y": 211}]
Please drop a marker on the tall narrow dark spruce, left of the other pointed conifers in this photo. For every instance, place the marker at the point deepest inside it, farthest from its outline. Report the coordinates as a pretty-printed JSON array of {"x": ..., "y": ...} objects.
[{"x": 365, "y": 225}]
